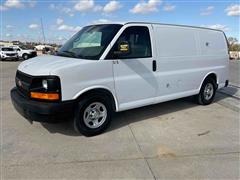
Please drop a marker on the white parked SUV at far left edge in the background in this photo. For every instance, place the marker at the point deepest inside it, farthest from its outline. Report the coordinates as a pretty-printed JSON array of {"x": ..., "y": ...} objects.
[{"x": 8, "y": 53}]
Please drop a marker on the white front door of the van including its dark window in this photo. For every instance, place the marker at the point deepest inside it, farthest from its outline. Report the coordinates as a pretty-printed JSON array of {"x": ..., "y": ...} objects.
[{"x": 134, "y": 73}]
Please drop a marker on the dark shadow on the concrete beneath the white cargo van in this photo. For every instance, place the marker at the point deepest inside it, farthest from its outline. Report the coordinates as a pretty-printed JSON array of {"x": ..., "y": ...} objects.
[{"x": 125, "y": 118}]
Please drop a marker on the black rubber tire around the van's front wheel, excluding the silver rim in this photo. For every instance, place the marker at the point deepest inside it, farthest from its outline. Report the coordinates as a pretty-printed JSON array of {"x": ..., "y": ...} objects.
[{"x": 79, "y": 123}]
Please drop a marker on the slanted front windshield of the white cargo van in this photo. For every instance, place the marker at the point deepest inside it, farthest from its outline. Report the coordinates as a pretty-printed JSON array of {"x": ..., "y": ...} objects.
[{"x": 90, "y": 42}]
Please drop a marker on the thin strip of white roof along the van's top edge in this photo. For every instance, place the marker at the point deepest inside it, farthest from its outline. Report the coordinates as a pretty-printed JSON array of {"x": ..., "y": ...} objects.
[{"x": 133, "y": 22}]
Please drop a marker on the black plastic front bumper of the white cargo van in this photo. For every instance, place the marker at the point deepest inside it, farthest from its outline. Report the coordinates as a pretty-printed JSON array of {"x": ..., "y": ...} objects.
[{"x": 42, "y": 111}]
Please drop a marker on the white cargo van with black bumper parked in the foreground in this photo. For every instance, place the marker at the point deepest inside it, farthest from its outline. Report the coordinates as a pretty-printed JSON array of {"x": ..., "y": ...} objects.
[{"x": 115, "y": 67}]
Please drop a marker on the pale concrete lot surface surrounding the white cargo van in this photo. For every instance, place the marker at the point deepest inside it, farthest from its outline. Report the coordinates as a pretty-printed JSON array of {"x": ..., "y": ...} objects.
[{"x": 172, "y": 140}]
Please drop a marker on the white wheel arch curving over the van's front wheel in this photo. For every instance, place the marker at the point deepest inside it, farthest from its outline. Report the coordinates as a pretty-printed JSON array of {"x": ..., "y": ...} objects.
[{"x": 99, "y": 90}]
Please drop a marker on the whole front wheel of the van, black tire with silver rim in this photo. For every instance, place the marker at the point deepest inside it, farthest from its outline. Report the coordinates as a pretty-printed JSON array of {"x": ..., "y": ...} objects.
[{"x": 92, "y": 115}]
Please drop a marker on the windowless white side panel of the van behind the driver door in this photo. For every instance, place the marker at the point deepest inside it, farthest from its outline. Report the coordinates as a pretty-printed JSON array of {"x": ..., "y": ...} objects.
[{"x": 185, "y": 57}]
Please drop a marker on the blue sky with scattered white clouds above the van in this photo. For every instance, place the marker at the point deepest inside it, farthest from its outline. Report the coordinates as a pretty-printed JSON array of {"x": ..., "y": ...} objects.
[{"x": 21, "y": 20}]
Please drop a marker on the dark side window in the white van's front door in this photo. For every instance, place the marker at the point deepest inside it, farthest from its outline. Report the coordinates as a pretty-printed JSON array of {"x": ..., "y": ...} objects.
[{"x": 139, "y": 42}]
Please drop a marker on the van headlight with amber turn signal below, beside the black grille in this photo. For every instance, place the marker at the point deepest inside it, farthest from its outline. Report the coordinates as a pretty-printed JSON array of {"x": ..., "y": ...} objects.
[{"x": 46, "y": 88}]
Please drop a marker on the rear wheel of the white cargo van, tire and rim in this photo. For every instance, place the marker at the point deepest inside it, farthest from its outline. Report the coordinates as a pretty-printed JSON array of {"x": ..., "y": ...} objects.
[{"x": 203, "y": 97}]
